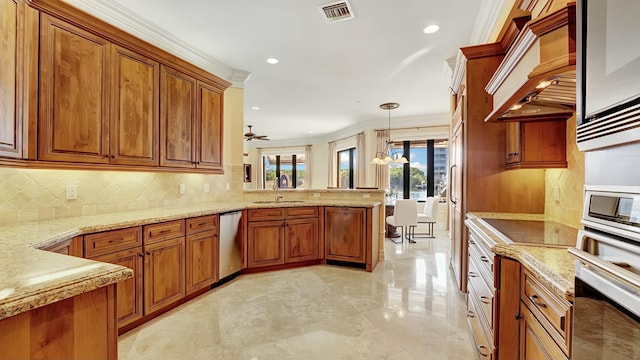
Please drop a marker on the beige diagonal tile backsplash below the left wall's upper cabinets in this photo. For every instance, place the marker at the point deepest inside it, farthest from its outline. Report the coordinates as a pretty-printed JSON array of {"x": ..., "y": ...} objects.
[{"x": 35, "y": 194}]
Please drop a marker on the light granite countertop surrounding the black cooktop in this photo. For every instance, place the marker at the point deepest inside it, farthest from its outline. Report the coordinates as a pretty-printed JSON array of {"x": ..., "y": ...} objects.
[{"x": 552, "y": 265}]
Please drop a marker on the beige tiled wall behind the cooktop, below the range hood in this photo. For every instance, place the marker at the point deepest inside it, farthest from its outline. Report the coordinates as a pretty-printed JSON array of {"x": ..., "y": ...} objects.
[{"x": 564, "y": 187}]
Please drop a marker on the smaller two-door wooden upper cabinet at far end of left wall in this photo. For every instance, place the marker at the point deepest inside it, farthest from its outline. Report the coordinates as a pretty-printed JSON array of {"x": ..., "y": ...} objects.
[{"x": 191, "y": 121}]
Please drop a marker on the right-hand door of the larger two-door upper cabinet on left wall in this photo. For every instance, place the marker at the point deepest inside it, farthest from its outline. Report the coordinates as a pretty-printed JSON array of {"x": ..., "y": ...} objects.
[{"x": 134, "y": 113}]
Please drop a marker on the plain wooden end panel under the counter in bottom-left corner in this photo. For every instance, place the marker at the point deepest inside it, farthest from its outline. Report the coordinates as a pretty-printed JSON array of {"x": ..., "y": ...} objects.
[{"x": 82, "y": 327}]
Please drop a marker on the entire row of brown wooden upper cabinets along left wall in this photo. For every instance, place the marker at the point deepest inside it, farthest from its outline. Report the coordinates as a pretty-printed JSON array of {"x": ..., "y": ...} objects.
[{"x": 76, "y": 90}]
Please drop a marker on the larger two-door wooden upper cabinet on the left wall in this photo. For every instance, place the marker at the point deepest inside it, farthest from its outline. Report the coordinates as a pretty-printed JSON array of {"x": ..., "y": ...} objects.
[{"x": 100, "y": 100}]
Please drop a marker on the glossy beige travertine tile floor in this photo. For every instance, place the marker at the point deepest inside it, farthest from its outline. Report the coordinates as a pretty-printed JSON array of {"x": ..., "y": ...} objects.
[{"x": 408, "y": 308}]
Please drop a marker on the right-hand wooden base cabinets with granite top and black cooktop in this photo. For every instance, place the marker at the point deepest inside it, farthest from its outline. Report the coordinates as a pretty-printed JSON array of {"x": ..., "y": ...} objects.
[{"x": 526, "y": 271}]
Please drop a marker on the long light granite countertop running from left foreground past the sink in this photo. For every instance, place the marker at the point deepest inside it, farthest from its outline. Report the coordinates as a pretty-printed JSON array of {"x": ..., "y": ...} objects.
[{"x": 31, "y": 278}]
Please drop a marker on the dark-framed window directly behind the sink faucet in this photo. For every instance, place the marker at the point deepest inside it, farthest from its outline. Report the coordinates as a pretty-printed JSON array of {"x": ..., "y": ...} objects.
[{"x": 289, "y": 169}]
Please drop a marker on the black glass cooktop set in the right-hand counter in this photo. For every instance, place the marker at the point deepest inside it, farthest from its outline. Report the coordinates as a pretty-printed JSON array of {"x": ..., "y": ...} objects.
[{"x": 535, "y": 232}]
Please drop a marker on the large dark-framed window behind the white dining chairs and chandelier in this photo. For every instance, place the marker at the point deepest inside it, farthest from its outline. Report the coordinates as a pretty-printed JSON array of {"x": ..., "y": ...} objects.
[{"x": 426, "y": 172}]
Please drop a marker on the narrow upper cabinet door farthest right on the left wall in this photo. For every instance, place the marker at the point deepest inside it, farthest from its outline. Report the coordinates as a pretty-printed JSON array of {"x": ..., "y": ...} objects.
[{"x": 209, "y": 130}]
